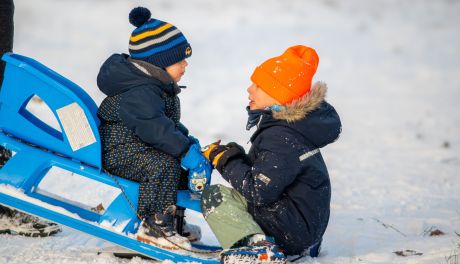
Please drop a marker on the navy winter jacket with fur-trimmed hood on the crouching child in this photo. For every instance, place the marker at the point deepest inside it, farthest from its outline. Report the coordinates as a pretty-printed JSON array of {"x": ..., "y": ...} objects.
[{"x": 284, "y": 177}]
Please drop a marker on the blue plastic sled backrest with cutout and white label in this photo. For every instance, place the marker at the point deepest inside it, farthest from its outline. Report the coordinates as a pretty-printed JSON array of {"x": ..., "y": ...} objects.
[{"x": 72, "y": 107}]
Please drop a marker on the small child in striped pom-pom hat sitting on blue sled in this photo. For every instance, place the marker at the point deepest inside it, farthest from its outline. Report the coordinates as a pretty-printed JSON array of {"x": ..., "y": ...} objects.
[{"x": 142, "y": 137}]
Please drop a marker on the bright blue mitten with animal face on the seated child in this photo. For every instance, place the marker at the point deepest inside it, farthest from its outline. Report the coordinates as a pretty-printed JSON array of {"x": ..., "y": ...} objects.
[{"x": 199, "y": 169}]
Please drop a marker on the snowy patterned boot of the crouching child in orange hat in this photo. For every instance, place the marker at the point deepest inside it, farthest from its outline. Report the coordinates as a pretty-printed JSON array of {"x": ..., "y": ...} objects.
[{"x": 258, "y": 249}]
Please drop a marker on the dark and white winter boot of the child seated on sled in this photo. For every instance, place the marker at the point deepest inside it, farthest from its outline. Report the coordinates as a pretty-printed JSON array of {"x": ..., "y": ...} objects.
[{"x": 158, "y": 230}]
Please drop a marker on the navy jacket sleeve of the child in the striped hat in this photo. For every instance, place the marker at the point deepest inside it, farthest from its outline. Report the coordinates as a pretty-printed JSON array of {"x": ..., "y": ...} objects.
[{"x": 143, "y": 111}]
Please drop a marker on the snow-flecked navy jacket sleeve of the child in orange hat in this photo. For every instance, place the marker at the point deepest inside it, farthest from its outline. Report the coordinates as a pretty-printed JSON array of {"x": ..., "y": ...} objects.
[{"x": 264, "y": 181}]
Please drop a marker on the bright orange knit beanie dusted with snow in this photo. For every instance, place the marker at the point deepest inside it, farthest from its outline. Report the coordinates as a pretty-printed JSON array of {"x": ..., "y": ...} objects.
[{"x": 287, "y": 77}]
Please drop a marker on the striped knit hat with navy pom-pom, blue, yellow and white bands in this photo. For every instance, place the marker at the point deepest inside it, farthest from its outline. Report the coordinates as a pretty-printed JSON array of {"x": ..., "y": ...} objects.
[{"x": 155, "y": 41}]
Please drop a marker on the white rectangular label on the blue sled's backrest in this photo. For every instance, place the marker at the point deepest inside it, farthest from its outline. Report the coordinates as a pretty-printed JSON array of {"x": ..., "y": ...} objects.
[{"x": 76, "y": 126}]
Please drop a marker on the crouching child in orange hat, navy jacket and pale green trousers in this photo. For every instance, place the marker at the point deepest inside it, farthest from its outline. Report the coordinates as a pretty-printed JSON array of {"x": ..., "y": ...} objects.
[{"x": 281, "y": 189}]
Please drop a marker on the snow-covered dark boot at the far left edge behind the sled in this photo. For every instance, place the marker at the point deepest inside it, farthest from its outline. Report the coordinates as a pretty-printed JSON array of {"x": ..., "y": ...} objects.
[{"x": 17, "y": 223}]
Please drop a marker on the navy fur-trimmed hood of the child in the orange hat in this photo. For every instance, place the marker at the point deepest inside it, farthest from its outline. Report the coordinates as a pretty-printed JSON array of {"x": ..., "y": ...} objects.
[{"x": 311, "y": 116}]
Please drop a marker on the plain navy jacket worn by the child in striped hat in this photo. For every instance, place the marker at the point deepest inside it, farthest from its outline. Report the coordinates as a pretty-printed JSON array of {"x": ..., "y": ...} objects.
[{"x": 143, "y": 103}]
